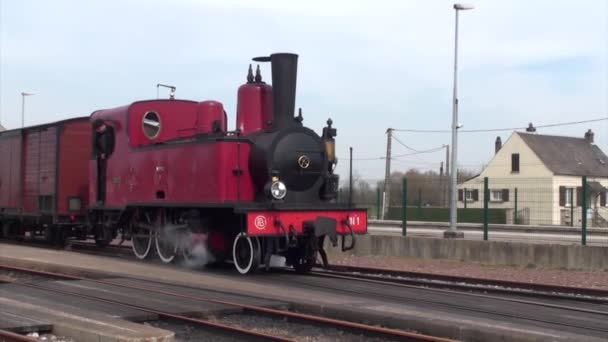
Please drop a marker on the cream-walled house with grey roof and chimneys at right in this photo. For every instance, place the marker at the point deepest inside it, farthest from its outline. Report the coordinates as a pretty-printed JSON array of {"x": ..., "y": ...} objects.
[{"x": 538, "y": 179}]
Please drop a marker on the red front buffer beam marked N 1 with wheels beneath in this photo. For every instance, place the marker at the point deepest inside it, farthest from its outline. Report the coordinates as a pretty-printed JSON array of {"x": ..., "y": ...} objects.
[{"x": 298, "y": 235}]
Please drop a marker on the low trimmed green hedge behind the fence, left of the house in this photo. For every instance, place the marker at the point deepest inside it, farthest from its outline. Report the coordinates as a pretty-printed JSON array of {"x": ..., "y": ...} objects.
[{"x": 469, "y": 215}]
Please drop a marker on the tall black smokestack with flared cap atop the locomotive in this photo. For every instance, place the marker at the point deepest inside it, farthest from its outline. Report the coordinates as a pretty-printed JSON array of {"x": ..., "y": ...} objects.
[{"x": 284, "y": 76}]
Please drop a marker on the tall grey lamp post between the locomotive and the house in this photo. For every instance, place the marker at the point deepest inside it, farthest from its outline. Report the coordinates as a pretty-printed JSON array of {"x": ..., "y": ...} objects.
[{"x": 452, "y": 231}]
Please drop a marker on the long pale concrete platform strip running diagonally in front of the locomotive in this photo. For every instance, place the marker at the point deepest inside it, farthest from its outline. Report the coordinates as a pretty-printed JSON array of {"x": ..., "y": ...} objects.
[{"x": 398, "y": 308}]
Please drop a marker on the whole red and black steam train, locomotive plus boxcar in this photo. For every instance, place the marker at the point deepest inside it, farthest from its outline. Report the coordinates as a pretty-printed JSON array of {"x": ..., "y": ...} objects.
[{"x": 176, "y": 178}]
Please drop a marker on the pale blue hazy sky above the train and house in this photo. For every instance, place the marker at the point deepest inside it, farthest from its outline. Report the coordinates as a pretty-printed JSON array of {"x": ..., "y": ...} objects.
[{"x": 368, "y": 65}]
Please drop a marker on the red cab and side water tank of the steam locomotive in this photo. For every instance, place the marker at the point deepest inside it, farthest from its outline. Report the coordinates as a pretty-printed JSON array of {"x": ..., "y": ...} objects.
[{"x": 183, "y": 163}]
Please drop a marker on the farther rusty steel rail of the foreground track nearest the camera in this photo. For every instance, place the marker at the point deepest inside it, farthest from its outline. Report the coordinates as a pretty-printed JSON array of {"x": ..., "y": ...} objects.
[{"x": 403, "y": 335}]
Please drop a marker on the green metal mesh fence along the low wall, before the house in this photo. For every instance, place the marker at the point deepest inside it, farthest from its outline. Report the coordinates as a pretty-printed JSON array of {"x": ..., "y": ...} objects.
[{"x": 569, "y": 201}]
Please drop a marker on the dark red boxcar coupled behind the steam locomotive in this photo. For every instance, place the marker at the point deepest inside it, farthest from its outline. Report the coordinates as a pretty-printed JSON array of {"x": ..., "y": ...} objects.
[{"x": 43, "y": 178}]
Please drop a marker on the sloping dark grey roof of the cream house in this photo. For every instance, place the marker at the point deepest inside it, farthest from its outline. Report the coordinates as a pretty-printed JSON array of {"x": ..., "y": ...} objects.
[{"x": 568, "y": 155}]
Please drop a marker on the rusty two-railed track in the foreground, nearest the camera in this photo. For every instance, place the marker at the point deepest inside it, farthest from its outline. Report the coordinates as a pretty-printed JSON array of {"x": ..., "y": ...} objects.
[{"x": 371, "y": 330}]
